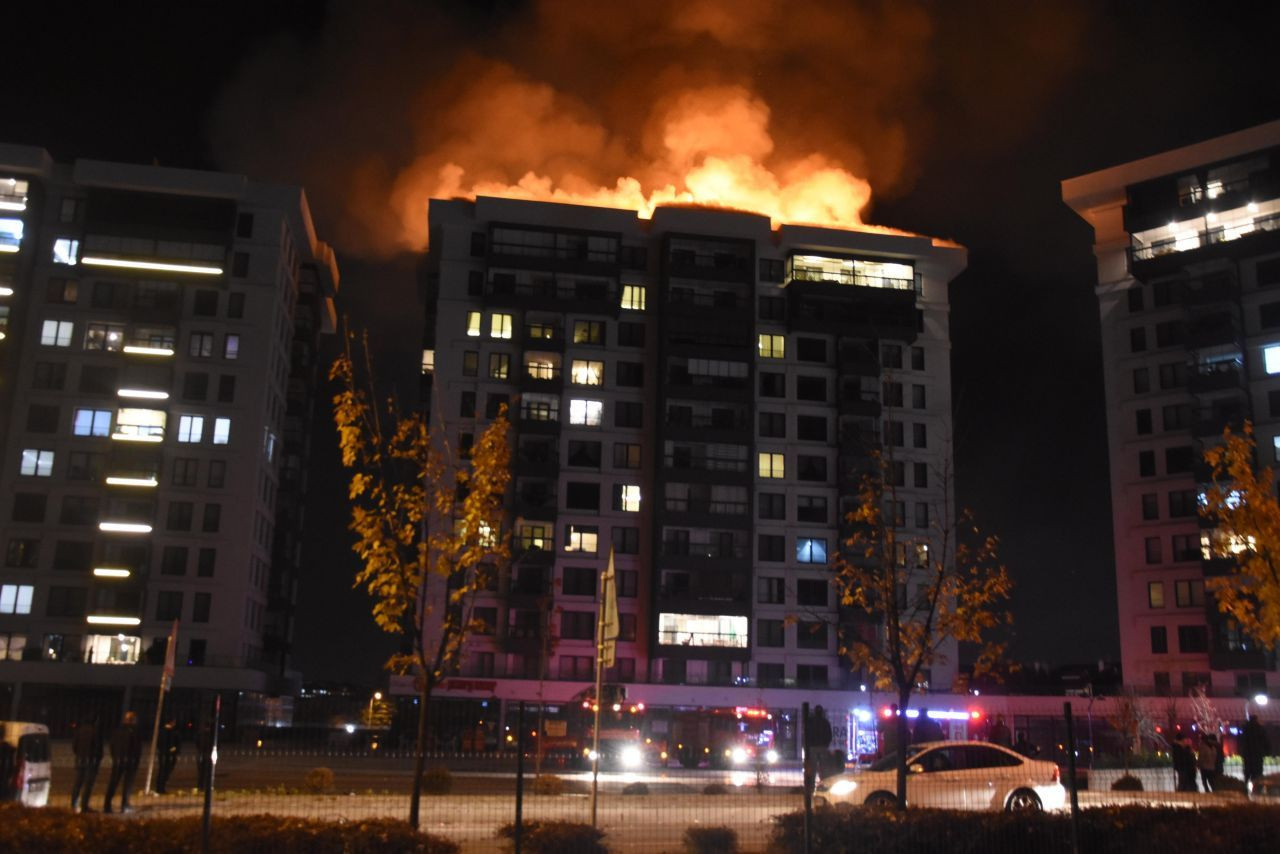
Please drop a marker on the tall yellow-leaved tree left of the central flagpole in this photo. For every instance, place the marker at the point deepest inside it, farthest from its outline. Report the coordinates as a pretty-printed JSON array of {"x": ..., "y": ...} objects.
[{"x": 419, "y": 510}]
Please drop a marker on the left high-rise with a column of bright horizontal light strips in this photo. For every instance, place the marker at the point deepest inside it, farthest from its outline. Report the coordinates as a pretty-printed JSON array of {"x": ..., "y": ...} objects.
[{"x": 157, "y": 375}]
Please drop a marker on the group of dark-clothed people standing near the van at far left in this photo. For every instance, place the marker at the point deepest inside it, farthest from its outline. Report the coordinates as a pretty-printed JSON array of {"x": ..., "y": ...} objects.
[{"x": 125, "y": 747}]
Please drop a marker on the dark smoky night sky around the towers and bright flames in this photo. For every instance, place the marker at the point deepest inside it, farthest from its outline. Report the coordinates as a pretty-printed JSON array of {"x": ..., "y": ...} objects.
[{"x": 964, "y": 117}]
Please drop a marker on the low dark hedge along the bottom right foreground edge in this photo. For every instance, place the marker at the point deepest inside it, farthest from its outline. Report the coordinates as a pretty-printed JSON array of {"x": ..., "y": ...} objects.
[{"x": 1122, "y": 830}]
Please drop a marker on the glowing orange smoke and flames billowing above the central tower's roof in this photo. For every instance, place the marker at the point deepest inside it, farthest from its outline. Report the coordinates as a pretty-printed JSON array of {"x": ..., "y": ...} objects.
[{"x": 788, "y": 108}]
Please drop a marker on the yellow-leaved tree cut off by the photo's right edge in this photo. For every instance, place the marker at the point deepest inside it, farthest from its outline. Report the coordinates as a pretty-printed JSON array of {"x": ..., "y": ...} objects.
[{"x": 1242, "y": 503}]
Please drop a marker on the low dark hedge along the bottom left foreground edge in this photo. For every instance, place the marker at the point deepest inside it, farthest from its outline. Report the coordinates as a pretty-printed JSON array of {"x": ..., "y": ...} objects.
[{"x": 58, "y": 832}]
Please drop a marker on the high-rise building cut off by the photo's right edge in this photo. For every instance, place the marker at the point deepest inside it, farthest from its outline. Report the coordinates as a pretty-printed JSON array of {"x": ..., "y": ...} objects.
[{"x": 1188, "y": 249}]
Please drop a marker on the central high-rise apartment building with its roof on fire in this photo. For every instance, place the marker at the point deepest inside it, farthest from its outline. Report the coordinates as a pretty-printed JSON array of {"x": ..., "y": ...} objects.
[{"x": 698, "y": 392}]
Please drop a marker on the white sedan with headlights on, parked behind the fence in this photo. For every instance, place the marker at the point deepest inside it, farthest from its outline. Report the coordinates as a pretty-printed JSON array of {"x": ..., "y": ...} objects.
[{"x": 957, "y": 775}]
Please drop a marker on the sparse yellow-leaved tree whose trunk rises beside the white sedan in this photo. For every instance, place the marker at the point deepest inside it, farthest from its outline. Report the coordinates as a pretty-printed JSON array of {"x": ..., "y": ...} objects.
[{"x": 917, "y": 592}]
